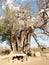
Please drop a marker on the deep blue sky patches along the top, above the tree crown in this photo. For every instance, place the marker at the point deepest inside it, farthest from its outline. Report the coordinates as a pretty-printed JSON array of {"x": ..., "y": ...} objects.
[{"x": 33, "y": 3}]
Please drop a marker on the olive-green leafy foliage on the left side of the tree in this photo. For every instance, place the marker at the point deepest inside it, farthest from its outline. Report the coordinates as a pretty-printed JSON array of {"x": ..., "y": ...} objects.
[{"x": 8, "y": 24}]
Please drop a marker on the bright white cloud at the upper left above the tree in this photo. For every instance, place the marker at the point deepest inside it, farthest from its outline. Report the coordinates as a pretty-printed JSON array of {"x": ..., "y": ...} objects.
[{"x": 11, "y": 5}]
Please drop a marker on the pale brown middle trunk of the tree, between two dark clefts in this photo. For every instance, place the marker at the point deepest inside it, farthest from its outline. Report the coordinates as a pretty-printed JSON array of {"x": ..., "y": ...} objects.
[{"x": 20, "y": 40}]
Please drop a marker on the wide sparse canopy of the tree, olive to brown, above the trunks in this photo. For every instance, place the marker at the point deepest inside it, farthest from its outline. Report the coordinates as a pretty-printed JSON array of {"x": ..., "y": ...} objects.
[{"x": 20, "y": 16}]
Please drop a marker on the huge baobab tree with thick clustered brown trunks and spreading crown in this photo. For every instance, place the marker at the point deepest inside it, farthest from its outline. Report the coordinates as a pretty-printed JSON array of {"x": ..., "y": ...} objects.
[{"x": 13, "y": 18}]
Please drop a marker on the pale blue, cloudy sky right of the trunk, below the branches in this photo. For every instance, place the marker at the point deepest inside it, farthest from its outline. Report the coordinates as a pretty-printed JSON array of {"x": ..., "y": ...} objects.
[{"x": 43, "y": 39}]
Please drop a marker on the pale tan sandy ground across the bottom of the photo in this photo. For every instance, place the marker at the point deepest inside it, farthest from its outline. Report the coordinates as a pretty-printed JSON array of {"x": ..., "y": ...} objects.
[{"x": 31, "y": 61}]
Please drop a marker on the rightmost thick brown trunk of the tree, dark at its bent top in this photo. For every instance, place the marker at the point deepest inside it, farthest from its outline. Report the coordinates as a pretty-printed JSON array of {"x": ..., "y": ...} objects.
[{"x": 28, "y": 33}]
